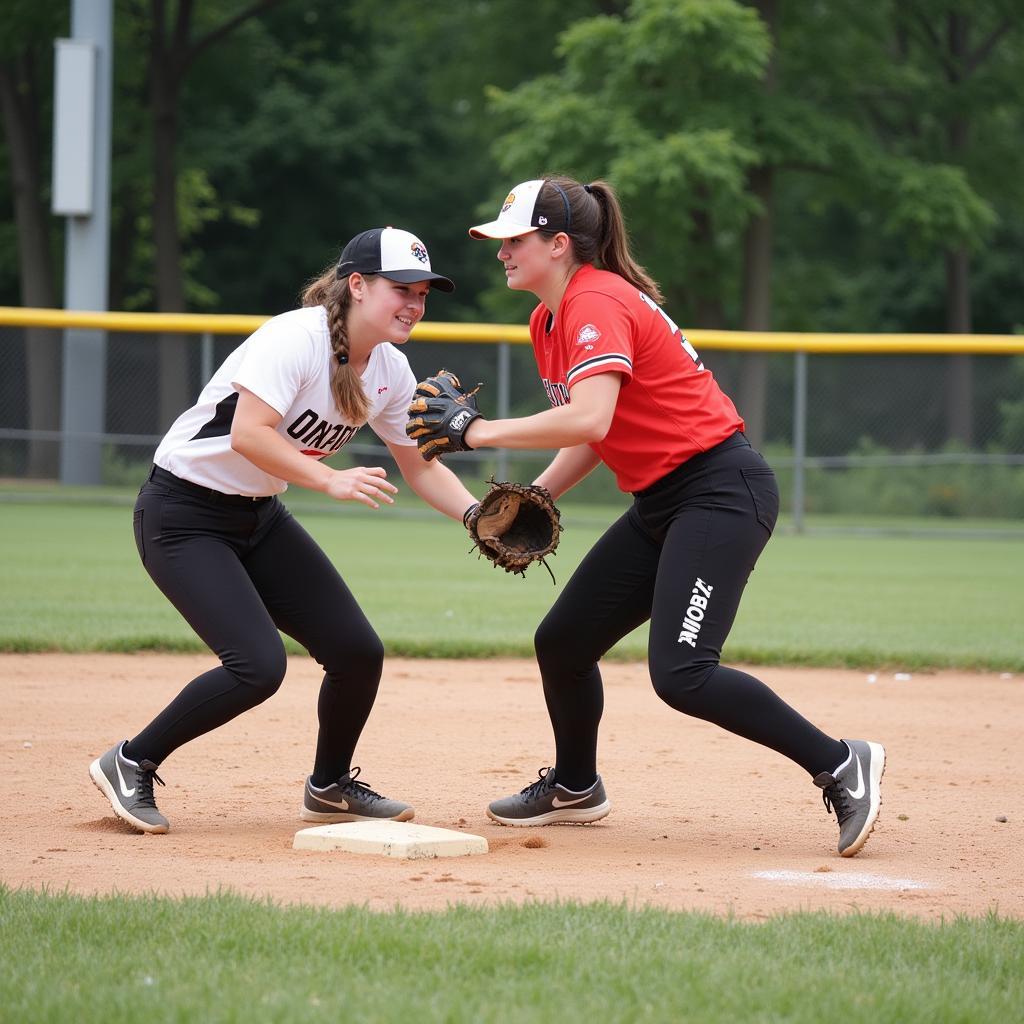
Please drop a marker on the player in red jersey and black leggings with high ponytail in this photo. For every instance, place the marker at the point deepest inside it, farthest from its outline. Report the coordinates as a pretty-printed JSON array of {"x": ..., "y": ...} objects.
[{"x": 627, "y": 389}]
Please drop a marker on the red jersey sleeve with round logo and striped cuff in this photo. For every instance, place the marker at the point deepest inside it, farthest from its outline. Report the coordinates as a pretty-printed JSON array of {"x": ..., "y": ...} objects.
[{"x": 600, "y": 334}]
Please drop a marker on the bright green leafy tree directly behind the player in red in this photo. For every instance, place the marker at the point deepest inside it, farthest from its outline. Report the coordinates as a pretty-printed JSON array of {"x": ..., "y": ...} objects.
[{"x": 674, "y": 102}]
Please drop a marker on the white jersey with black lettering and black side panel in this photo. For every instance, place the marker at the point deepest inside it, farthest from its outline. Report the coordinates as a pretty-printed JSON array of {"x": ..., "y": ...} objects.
[{"x": 287, "y": 364}]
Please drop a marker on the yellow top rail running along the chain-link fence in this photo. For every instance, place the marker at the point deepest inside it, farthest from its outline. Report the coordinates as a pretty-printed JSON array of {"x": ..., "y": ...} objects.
[{"x": 748, "y": 342}]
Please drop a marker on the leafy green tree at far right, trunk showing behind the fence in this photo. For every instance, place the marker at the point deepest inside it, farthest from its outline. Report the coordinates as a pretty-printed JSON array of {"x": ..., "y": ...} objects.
[{"x": 944, "y": 78}]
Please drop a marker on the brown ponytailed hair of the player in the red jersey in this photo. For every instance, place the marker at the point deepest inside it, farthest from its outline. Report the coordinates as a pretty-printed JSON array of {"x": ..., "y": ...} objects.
[{"x": 593, "y": 220}]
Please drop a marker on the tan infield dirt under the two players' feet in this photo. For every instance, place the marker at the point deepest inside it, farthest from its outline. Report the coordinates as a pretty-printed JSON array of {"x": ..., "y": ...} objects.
[{"x": 701, "y": 820}]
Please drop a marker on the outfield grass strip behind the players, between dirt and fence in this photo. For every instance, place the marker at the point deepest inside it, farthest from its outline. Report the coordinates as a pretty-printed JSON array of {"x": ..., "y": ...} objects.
[{"x": 72, "y": 581}]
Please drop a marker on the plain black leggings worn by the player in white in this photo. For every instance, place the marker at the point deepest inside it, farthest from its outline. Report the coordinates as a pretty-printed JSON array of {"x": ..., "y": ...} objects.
[{"x": 239, "y": 571}]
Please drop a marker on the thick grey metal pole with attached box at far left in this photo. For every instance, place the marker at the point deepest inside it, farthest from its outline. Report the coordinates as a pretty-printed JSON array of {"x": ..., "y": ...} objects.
[{"x": 87, "y": 259}]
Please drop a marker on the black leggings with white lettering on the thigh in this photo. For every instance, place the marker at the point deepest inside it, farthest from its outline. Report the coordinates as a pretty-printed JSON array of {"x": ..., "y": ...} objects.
[{"x": 680, "y": 558}]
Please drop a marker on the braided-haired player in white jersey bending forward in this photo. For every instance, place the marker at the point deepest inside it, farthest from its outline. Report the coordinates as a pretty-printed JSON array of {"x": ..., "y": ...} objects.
[{"x": 218, "y": 541}]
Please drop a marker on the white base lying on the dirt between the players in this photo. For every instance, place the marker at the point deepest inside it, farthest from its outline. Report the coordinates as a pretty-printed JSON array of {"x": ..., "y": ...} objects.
[{"x": 391, "y": 839}]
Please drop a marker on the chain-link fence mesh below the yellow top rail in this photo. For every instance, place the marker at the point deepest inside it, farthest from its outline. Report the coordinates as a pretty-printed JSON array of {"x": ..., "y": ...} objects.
[{"x": 915, "y": 442}]
